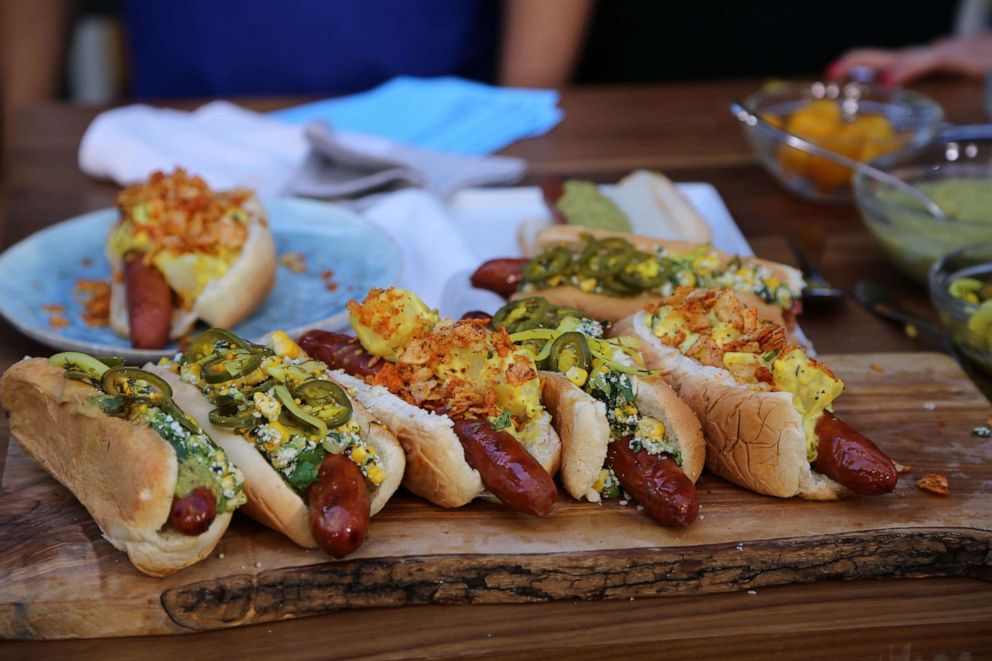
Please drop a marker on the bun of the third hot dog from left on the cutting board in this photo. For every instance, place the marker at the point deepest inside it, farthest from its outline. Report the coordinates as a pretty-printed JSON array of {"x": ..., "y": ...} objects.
[{"x": 435, "y": 461}]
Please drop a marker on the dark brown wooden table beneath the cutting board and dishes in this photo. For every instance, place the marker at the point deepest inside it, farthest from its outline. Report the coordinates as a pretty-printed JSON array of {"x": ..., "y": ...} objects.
[{"x": 685, "y": 131}]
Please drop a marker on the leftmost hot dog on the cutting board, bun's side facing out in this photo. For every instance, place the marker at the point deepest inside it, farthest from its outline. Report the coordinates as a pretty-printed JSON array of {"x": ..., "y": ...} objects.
[{"x": 91, "y": 423}]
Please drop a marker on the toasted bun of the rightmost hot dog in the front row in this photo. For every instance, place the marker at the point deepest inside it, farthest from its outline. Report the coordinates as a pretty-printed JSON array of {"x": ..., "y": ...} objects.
[{"x": 754, "y": 436}]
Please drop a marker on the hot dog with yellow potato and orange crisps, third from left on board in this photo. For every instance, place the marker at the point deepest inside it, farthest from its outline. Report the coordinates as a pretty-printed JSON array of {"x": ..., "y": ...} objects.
[{"x": 463, "y": 402}]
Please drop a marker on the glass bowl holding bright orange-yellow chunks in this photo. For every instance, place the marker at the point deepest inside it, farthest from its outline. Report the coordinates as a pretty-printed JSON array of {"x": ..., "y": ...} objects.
[{"x": 857, "y": 120}]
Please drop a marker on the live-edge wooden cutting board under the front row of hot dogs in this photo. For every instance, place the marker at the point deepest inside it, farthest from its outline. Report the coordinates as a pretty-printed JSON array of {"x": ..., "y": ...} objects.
[{"x": 59, "y": 578}]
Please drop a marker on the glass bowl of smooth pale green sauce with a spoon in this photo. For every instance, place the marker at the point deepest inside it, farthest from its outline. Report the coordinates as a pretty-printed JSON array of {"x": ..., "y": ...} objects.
[{"x": 911, "y": 237}]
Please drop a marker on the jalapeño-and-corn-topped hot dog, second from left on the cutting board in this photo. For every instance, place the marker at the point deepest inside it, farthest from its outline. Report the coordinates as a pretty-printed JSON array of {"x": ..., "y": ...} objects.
[{"x": 316, "y": 467}]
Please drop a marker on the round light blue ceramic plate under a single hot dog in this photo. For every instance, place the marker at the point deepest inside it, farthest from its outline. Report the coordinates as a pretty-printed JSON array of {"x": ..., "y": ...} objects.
[{"x": 43, "y": 269}]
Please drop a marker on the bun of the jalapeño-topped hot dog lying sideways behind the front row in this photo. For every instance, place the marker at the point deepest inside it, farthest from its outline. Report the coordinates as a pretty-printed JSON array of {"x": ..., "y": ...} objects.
[{"x": 614, "y": 308}]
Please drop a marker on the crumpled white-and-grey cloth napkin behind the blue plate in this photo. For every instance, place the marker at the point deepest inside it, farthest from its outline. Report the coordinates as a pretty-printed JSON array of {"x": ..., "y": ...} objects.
[{"x": 230, "y": 146}]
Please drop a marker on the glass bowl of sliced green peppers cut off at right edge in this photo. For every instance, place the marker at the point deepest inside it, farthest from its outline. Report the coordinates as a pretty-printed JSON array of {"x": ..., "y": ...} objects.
[{"x": 966, "y": 272}]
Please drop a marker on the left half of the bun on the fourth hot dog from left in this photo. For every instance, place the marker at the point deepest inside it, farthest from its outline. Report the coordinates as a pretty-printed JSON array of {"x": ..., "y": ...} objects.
[{"x": 580, "y": 420}]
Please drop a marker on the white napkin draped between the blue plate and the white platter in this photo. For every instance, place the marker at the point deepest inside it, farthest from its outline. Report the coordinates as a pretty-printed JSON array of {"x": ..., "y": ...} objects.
[{"x": 433, "y": 247}]
